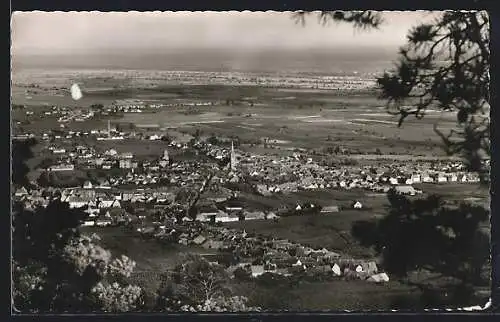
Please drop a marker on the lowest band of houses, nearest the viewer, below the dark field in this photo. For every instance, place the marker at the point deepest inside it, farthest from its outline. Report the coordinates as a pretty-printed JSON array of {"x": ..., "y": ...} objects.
[{"x": 256, "y": 255}]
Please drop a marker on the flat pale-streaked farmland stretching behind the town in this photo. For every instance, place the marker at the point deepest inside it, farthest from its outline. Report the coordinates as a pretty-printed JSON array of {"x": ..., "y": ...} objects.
[{"x": 311, "y": 119}]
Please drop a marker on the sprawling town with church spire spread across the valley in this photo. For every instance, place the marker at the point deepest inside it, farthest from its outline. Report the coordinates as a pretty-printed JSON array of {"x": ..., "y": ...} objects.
[{"x": 186, "y": 193}]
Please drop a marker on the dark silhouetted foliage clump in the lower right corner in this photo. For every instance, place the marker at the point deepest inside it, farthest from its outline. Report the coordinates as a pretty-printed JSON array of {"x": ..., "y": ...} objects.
[{"x": 426, "y": 234}]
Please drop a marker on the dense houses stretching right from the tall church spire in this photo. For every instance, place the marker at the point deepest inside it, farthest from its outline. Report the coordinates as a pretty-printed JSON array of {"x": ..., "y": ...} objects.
[{"x": 293, "y": 173}]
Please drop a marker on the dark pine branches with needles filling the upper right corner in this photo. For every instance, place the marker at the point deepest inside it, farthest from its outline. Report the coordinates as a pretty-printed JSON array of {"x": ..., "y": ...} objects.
[{"x": 445, "y": 65}]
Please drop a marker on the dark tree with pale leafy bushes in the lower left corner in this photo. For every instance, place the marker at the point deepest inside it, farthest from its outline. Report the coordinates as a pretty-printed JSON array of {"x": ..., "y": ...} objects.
[{"x": 57, "y": 269}]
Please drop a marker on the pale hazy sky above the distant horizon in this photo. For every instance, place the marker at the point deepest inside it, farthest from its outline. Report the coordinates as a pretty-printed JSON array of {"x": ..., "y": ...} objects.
[{"x": 64, "y": 32}]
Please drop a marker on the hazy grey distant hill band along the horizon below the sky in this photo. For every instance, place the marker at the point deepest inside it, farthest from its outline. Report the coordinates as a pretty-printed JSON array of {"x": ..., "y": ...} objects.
[{"x": 315, "y": 61}]
